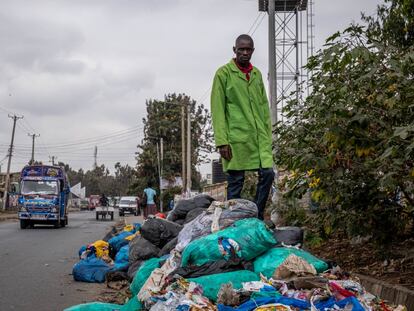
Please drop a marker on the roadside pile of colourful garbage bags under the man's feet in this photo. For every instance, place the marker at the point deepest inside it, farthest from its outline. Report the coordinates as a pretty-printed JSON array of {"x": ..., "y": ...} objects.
[{"x": 223, "y": 258}]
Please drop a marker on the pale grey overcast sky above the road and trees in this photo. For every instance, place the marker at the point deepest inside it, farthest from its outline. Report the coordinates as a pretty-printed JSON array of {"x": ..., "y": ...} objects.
[{"x": 80, "y": 70}]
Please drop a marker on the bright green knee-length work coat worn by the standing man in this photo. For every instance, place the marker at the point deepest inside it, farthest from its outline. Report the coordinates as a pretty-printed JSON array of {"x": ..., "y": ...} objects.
[{"x": 241, "y": 118}]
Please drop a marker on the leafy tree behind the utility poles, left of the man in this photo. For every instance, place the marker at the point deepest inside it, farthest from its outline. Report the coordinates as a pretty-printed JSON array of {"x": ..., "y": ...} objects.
[{"x": 164, "y": 120}]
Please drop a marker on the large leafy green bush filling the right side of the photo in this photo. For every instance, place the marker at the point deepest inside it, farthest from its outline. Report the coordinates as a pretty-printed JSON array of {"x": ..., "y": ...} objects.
[{"x": 351, "y": 141}]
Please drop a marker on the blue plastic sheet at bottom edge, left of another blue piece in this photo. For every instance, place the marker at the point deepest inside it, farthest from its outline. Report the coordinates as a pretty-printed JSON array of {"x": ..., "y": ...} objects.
[{"x": 254, "y": 303}]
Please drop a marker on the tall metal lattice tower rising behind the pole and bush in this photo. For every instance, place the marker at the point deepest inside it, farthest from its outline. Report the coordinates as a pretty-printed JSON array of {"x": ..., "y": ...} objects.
[{"x": 294, "y": 43}]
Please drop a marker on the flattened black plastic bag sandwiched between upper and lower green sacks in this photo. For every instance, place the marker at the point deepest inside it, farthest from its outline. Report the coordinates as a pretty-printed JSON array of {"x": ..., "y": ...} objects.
[{"x": 220, "y": 266}]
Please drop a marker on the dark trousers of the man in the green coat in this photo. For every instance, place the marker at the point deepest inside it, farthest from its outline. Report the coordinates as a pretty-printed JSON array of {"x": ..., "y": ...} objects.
[{"x": 235, "y": 181}]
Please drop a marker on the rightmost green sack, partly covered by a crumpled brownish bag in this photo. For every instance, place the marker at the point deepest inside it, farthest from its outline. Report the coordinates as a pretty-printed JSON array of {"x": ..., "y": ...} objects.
[{"x": 272, "y": 259}]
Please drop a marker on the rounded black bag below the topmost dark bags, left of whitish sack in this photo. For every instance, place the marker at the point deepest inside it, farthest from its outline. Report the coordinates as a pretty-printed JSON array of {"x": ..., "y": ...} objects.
[{"x": 160, "y": 231}]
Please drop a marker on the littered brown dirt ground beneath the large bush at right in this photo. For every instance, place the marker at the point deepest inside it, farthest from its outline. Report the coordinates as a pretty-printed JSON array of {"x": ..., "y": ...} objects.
[{"x": 394, "y": 266}]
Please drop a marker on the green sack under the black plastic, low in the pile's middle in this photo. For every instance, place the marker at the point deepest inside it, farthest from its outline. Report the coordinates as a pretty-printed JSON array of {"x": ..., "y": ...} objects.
[{"x": 212, "y": 283}]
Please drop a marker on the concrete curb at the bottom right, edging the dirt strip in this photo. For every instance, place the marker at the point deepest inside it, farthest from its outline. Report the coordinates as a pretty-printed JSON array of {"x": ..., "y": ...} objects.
[{"x": 393, "y": 293}]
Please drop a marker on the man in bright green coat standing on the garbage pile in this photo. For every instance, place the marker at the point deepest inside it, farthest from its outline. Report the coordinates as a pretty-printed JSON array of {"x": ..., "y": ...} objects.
[{"x": 242, "y": 124}]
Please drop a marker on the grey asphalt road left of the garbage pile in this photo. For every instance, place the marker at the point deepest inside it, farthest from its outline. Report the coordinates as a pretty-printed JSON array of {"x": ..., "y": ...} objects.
[{"x": 36, "y": 264}]
